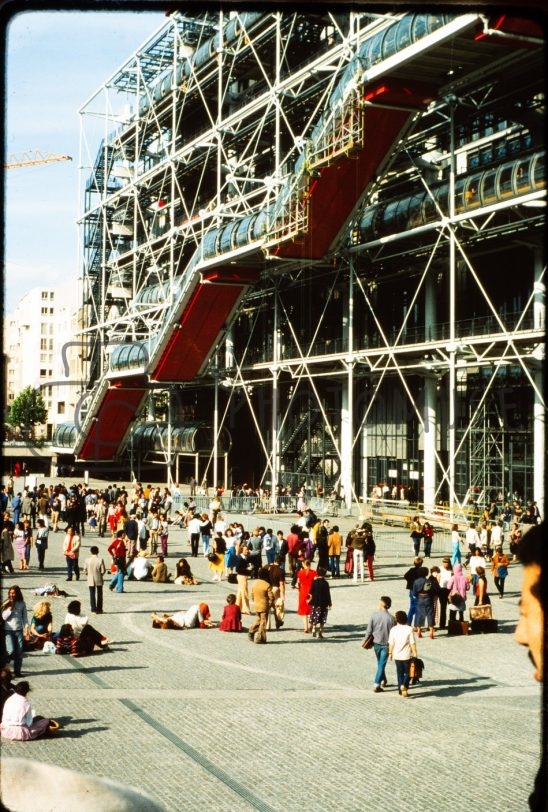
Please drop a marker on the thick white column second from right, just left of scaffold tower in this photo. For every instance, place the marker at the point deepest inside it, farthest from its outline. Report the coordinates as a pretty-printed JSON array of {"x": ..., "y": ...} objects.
[{"x": 430, "y": 429}]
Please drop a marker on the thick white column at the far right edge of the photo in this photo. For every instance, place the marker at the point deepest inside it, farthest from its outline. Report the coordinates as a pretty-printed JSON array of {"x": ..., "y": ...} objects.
[{"x": 539, "y": 408}]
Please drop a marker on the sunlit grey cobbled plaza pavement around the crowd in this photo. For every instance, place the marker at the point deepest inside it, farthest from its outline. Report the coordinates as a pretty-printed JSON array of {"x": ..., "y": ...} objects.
[{"x": 203, "y": 720}]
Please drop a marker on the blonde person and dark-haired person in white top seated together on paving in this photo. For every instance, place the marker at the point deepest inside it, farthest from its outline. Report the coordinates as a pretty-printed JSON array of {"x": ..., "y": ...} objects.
[{"x": 76, "y": 636}]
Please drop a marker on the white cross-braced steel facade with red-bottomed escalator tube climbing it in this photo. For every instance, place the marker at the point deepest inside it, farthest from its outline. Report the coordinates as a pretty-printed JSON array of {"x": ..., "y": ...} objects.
[{"x": 373, "y": 182}]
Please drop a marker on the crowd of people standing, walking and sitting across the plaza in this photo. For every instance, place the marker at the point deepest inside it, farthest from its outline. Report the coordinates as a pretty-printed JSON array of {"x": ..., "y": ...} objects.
[{"x": 261, "y": 563}]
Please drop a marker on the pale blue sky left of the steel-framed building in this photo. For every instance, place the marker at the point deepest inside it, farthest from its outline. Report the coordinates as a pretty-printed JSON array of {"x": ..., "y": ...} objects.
[{"x": 55, "y": 61}]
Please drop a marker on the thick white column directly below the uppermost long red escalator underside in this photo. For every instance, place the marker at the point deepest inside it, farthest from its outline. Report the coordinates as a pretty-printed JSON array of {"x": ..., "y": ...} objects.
[{"x": 347, "y": 404}]
